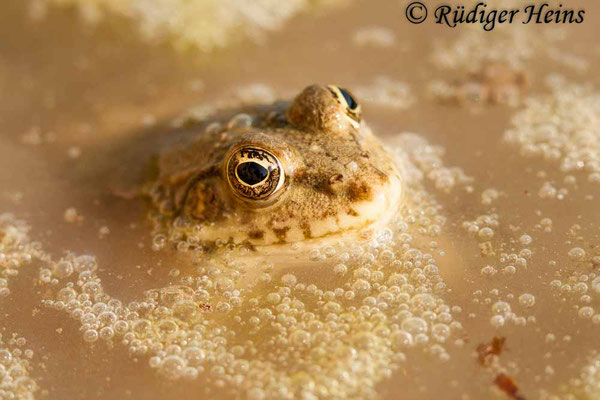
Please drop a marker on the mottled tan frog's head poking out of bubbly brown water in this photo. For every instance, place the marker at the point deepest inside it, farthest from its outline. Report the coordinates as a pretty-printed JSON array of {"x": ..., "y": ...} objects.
[{"x": 299, "y": 170}]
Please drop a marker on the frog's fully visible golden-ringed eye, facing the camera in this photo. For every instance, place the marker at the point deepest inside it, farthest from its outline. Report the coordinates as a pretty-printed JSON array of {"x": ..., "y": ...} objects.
[{"x": 254, "y": 173}]
